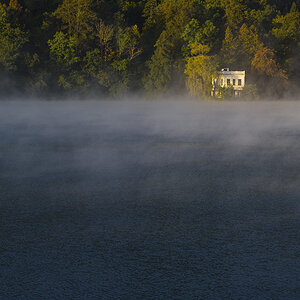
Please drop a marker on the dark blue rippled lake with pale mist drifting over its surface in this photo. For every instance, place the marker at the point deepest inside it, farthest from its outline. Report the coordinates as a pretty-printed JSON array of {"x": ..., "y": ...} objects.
[{"x": 149, "y": 200}]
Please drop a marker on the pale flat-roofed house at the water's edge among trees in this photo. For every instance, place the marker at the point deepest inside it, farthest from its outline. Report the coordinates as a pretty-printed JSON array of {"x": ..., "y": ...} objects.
[{"x": 226, "y": 79}]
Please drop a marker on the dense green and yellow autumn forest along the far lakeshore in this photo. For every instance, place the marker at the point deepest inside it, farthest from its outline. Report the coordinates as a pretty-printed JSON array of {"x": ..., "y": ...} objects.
[{"x": 113, "y": 48}]
